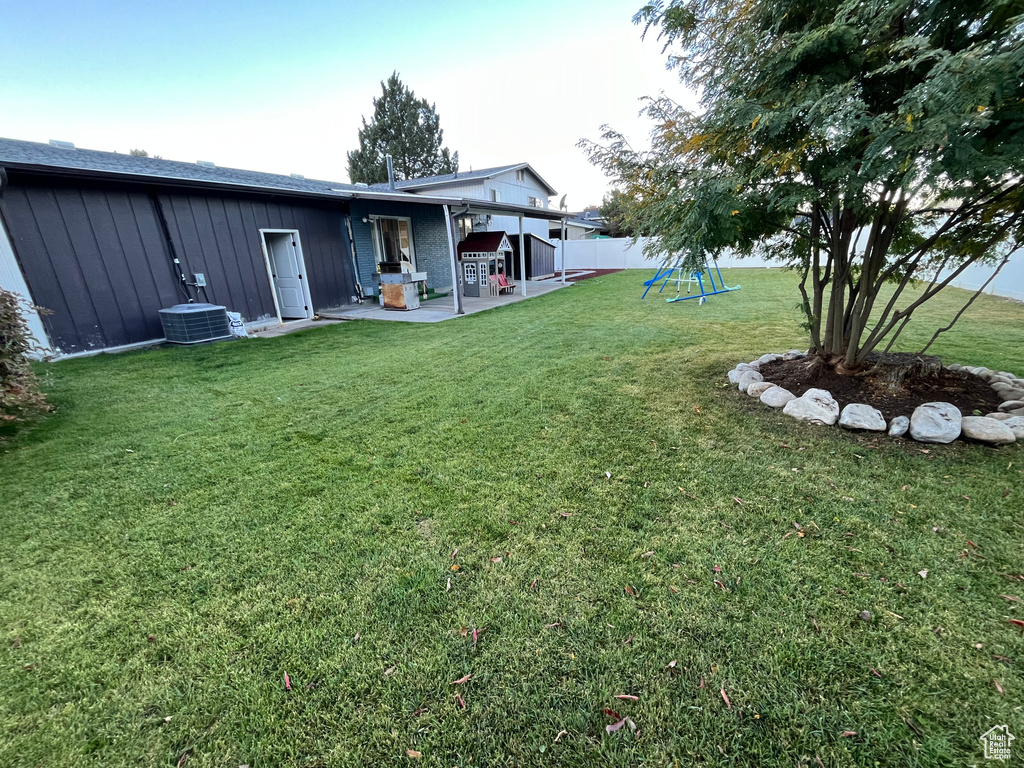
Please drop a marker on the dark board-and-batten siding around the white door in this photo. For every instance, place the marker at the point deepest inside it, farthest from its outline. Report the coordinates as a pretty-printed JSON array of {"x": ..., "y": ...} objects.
[{"x": 97, "y": 257}]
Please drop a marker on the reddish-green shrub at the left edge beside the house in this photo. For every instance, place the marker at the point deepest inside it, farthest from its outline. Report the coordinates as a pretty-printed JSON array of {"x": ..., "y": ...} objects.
[{"x": 20, "y": 394}]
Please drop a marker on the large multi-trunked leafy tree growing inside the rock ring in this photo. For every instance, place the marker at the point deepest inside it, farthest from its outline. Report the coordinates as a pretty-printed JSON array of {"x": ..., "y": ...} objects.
[{"x": 865, "y": 143}]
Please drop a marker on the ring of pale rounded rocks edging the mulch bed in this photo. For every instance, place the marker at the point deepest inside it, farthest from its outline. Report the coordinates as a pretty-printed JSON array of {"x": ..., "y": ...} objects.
[{"x": 930, "y": 422}]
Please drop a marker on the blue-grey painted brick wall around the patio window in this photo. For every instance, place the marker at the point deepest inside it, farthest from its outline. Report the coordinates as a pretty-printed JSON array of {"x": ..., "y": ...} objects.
[{"x": 430, "y": 240}]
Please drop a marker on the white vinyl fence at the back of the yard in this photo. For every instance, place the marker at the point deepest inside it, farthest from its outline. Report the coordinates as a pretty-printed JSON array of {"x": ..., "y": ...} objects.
[{"x": 620, "y": 253}]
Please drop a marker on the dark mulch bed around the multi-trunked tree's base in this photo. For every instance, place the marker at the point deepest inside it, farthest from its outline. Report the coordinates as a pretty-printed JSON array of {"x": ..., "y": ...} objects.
[{"x": 961, "y": 389}]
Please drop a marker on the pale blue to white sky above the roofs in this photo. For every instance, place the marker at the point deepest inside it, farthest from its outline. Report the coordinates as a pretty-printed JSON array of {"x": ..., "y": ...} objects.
[{"x": 282, "y": 88}]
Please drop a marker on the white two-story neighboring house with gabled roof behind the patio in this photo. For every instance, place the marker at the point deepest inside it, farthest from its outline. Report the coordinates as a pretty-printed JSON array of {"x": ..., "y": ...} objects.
[{"x": 518, "y": 185}]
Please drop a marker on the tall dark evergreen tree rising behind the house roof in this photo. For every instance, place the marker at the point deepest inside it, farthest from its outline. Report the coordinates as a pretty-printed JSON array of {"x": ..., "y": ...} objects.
[{"x": 407, "y": 129}]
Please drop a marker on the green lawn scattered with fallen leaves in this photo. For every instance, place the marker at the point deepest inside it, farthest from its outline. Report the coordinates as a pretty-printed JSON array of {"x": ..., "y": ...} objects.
[{"x": 257, "y": 506}]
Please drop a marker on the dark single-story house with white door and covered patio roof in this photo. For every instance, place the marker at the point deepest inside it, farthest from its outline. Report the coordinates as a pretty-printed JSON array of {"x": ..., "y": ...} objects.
[{"x": 105, "y": 241}]
